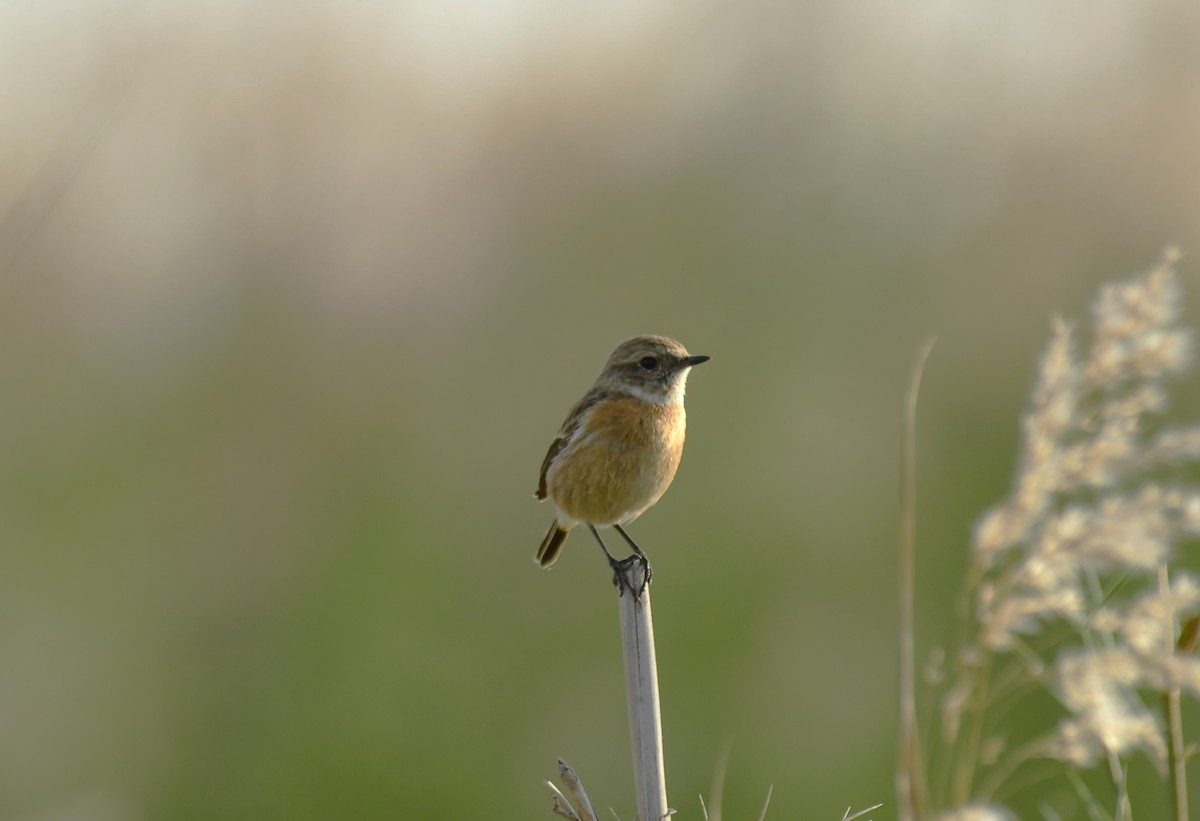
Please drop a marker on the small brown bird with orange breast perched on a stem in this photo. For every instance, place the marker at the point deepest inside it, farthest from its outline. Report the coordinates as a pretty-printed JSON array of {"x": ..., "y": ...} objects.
[{"x": 620, "y": 448}]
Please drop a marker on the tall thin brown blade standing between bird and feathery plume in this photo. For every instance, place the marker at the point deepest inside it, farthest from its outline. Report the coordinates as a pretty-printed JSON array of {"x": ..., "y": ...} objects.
[{"x": 910, "y": 778}]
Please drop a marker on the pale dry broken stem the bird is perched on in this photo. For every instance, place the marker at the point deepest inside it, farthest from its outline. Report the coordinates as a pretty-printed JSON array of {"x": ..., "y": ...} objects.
[{"x": 643, "y": 691}]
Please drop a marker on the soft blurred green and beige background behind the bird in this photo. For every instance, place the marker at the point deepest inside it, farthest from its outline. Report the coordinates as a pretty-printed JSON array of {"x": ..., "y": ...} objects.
[{"x": 293, "y": 297}]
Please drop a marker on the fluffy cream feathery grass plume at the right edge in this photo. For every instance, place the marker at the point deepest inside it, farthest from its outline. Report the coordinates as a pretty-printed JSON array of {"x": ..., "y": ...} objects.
[{"x": 1069, "y": 591}]
